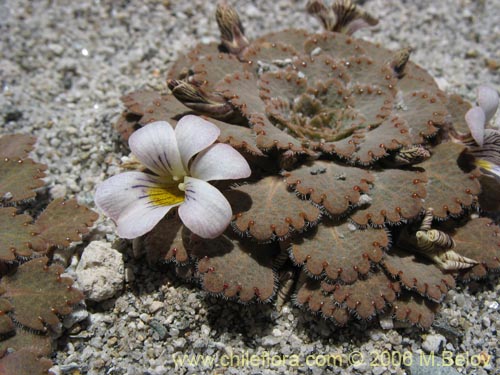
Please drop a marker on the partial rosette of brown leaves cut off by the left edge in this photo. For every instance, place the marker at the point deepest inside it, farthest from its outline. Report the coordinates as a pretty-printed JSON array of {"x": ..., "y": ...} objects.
[{"x": 33, "y": 294}]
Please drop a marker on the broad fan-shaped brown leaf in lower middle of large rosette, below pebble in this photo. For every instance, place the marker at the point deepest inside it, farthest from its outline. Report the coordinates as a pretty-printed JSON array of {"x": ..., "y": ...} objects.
[{"x": 341, "y": 252}]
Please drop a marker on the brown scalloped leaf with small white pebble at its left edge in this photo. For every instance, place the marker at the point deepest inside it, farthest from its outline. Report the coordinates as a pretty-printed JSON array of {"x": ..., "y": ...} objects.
[{"x": 396, "y": 197}]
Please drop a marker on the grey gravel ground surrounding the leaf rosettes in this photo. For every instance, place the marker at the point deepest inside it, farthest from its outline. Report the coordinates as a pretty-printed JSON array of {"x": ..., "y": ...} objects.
[{"x": 63, "y": 67}]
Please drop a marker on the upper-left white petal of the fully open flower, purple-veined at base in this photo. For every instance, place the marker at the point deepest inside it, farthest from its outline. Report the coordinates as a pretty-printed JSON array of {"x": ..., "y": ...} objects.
[{"x": 156, "y": 147}]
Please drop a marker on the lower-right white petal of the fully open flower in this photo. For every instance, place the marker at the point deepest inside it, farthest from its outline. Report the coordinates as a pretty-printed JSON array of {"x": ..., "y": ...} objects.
[{"x": 206, "y": 212}]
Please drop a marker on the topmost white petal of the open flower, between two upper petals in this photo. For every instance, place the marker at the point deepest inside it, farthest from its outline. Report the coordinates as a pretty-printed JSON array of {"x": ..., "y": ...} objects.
[{"x": 194, "y": 134}]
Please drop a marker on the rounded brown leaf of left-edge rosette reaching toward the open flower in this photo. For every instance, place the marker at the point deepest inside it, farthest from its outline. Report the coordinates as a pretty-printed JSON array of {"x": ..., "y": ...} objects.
[{"x": 52, "y": 231}]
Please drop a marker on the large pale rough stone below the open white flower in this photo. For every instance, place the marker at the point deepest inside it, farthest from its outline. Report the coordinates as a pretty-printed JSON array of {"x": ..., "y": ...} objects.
[{"x": 100, "y": 272}]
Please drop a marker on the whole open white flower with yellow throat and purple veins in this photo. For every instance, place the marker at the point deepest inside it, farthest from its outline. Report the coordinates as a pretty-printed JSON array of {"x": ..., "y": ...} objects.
[{"x": 137, "y": 201}]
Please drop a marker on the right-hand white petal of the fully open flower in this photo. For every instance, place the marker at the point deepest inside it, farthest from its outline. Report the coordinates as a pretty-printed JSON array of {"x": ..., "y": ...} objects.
[{"x": 219, "y": 162}]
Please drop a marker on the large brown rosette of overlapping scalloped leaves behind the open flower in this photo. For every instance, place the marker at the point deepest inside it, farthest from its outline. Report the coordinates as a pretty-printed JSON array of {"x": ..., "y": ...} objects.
[{"x": 348, "y": 144}]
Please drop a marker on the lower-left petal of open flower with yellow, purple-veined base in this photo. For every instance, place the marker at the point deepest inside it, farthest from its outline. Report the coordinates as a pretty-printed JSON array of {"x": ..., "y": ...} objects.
[{"x": 134, "y": 202}]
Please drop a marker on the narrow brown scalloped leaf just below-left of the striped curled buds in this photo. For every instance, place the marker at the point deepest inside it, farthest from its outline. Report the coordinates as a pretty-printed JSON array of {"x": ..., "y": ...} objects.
[{"x": 418, "y": 274}]
